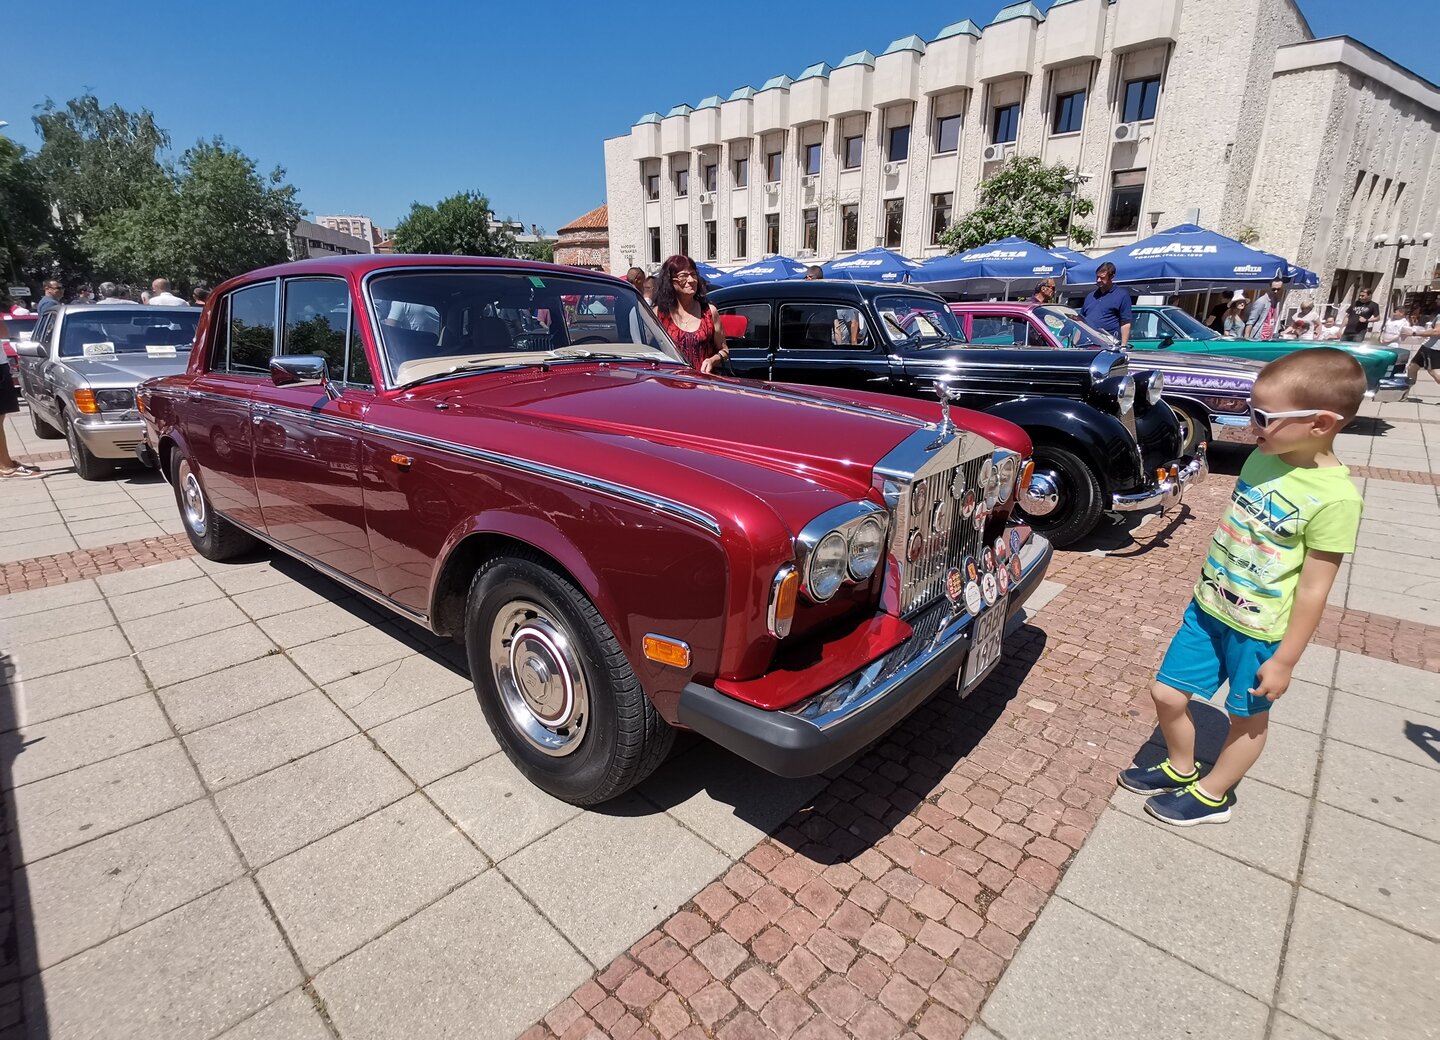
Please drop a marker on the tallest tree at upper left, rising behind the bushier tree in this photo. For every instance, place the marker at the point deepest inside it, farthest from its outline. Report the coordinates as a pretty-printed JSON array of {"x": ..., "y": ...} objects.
[{"x": 97, "y": 161}]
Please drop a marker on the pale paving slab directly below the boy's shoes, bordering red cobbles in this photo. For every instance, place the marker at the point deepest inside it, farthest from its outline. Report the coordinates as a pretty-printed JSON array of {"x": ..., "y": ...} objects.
[{"x": 1235, "y": 940}]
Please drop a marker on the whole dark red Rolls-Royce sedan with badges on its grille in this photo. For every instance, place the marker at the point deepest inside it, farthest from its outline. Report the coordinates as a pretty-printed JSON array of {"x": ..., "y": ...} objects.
[{"x": 624, "y": 545}]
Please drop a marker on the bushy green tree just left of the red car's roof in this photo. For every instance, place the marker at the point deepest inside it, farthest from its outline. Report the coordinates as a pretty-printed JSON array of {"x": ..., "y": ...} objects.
[{"x": 214, "y": 217}]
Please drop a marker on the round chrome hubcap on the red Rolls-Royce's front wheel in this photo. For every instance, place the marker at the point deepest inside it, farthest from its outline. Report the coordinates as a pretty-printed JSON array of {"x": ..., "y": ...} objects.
[{"x": 541, "y": 678}]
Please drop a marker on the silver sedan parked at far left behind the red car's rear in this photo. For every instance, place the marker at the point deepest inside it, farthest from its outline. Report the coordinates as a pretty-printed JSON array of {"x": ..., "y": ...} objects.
[{"x": 80, "y": 372}]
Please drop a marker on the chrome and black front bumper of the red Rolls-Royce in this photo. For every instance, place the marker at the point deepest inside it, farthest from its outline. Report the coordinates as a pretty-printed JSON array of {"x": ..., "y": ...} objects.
[{"x": 846, "y": 718}]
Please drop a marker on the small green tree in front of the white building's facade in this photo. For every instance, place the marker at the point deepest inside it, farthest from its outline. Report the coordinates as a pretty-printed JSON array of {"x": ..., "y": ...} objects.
[{"x": 1027, "y": 200}]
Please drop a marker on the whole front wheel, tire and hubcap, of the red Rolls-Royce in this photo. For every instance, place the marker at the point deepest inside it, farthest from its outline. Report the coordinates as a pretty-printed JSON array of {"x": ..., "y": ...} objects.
[{"x": 557, "y": 689}]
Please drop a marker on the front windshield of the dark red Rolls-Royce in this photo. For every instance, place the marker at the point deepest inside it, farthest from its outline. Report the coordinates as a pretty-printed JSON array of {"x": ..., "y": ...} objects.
[{"x": 440, "y": 322}]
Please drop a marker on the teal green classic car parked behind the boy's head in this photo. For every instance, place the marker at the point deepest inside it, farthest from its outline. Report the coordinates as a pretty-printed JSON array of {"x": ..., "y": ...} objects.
[{"x": 1174, "y": 331}]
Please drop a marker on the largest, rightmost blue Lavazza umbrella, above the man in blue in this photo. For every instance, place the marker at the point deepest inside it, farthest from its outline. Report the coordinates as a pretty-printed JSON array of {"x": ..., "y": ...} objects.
[{"x": 1186, "y": 257}]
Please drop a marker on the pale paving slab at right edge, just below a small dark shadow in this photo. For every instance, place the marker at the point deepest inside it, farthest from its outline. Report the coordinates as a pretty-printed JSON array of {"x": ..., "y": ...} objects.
[{"x": 1382, "y": 789}]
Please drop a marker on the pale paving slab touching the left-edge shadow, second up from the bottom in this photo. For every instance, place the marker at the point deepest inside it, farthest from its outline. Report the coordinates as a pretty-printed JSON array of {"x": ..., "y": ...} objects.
[{"x": 87, "y": 895}]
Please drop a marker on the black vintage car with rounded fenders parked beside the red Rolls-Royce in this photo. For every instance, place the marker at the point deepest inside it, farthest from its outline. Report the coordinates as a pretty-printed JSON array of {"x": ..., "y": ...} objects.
[{"x": 1104, "y": 439}]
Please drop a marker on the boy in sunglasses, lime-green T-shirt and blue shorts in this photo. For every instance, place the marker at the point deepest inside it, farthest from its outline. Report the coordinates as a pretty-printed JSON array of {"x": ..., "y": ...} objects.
[{"x": 1268, "y": 573}]
